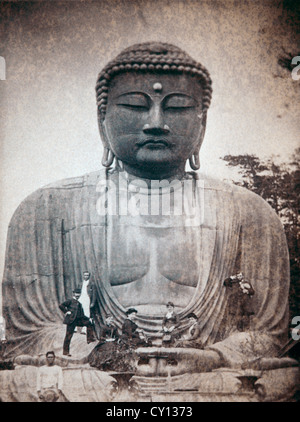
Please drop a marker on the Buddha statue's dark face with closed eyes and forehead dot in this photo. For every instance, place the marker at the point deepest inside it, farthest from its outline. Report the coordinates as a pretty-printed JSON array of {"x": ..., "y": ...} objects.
[{"x": 153, "y": 121}]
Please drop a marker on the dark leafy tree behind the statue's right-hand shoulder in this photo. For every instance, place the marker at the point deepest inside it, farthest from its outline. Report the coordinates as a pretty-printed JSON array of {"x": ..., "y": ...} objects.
[{"x": 279, "y": 185}]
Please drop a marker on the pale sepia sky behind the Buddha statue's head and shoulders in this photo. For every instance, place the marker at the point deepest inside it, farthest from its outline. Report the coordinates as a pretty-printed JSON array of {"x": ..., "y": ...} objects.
[{"x": 54, "y": 51}]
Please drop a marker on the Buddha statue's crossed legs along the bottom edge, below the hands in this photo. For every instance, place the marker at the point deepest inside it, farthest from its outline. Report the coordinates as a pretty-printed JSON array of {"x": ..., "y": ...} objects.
[{"x": 85, "y": 384}]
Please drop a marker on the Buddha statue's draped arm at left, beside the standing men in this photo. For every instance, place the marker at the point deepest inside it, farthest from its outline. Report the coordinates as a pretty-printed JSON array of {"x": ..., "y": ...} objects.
[{"x": 33, "y": 283}]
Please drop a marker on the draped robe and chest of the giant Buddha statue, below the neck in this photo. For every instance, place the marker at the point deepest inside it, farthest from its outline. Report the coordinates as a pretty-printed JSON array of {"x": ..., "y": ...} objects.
[{"x": 58, "y": 232}]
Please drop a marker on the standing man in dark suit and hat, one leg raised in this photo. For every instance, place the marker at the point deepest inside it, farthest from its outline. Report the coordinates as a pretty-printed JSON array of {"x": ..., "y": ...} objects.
[{"x": 74, "y": 317}]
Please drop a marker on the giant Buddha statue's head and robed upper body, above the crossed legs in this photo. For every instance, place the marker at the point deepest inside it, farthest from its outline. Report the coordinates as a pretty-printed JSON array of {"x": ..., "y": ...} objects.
[{"x": 147, "y": 227}]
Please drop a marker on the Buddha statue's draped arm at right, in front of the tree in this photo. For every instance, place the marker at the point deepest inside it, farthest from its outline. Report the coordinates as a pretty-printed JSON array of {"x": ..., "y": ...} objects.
[{"x": 265, "y": 262}]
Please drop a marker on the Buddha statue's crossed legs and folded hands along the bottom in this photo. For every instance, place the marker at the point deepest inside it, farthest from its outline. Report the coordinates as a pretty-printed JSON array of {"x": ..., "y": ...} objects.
[{"x": 155, "y": 379}]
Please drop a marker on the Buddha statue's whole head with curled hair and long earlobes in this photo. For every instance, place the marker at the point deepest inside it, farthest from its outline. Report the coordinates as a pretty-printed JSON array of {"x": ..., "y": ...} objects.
[{"x": 152, "y": 105}]
